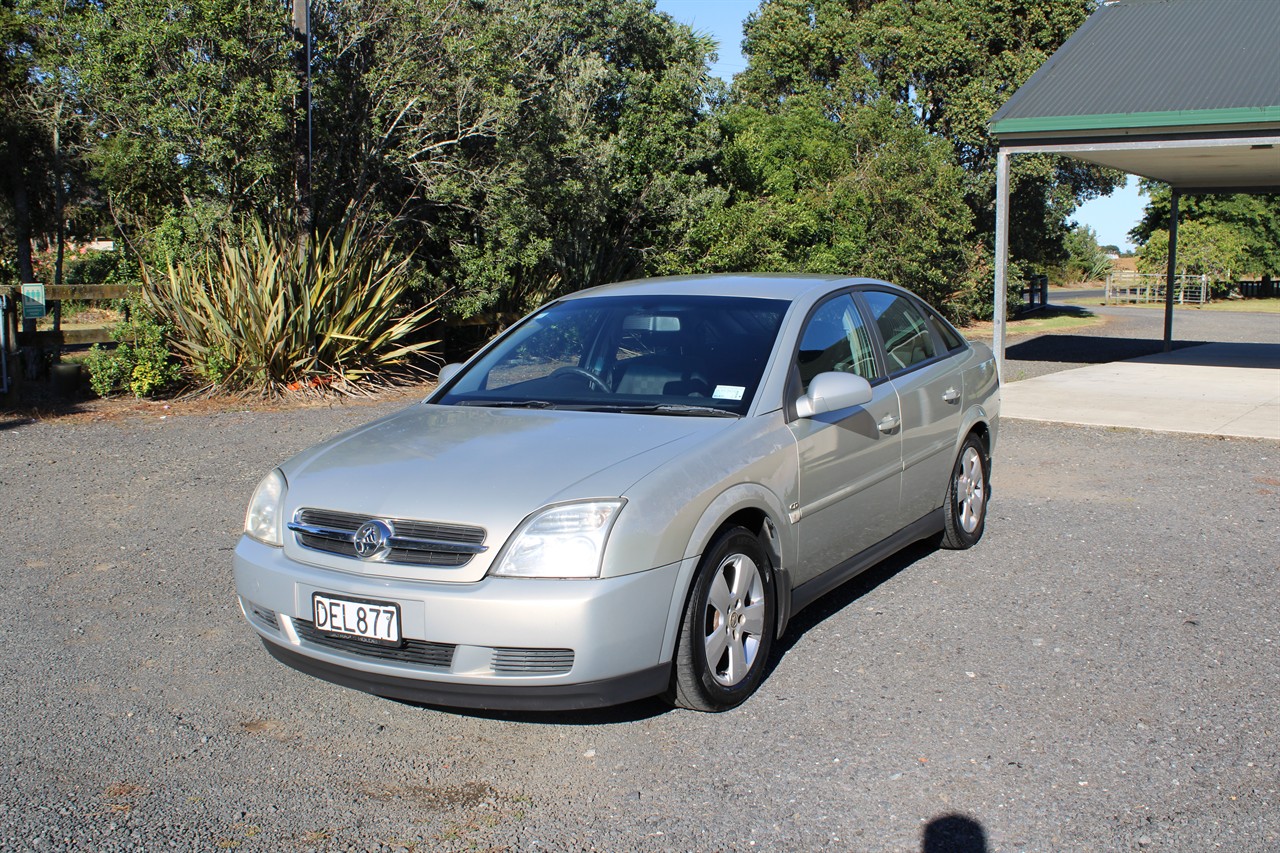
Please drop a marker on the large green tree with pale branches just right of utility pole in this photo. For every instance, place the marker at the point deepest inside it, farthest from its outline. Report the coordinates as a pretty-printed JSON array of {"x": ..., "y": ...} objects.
[{"x": 523, "y": 148}]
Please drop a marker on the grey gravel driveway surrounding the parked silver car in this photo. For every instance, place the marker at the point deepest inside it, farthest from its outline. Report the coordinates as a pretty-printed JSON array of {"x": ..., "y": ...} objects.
[{"x": 1103, "y": 672}]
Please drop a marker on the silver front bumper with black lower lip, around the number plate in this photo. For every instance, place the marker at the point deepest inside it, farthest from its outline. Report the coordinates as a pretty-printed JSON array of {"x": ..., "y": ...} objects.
[{"x": 509, "y": 644}]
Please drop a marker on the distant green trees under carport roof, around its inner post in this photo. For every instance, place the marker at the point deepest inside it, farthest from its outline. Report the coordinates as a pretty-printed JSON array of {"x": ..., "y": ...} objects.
[{"x": 1254, "y": 220}]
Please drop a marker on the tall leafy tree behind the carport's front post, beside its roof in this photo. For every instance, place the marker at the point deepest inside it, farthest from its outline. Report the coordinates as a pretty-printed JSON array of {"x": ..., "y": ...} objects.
[{"x": 950, "y": 63}]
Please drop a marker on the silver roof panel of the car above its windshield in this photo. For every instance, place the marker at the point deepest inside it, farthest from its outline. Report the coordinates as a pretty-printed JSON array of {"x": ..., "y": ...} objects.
[{"x": 776, "y": 286}]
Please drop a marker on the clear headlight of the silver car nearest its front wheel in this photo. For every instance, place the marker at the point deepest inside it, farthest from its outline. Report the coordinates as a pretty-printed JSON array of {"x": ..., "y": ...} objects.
[{"x": 564, "y": 541}]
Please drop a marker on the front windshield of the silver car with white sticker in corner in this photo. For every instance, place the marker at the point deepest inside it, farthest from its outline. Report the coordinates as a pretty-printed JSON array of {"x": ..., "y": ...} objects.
[{"x": 669, "y": 355}]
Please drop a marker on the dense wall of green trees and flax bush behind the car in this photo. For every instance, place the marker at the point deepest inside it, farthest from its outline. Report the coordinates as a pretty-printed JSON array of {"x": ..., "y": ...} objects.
[{"x": 504, "y": 152}]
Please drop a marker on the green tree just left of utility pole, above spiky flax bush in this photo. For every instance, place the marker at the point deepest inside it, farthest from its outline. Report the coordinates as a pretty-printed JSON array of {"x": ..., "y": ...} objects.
[{"x": 191, "y": 111}]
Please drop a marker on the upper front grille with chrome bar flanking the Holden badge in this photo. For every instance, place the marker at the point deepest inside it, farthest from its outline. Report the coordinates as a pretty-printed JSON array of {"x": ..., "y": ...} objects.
[{"x": 417, "y": 544}]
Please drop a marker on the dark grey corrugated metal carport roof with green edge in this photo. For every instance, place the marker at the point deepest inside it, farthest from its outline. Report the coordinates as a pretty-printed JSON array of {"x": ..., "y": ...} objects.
[{"x": 1158, "y": 63}]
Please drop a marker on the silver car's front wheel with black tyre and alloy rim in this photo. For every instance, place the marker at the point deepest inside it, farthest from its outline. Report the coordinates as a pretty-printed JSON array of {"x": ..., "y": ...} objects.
[{"x": 732, "y": 615}]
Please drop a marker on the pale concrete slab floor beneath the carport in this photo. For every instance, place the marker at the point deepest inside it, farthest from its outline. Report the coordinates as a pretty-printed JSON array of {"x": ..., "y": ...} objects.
[{"x": 1217, "y": 390}]
